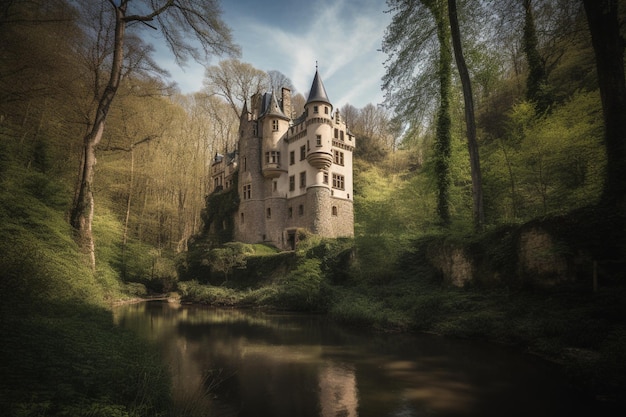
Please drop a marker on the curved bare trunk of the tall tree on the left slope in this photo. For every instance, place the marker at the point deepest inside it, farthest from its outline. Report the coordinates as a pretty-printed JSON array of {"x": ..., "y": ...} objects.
[{"x": 81, "y": 217}]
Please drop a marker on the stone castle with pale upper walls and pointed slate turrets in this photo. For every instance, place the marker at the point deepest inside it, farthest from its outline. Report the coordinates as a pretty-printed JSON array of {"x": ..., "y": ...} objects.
[{"x": 292, "y": 173}]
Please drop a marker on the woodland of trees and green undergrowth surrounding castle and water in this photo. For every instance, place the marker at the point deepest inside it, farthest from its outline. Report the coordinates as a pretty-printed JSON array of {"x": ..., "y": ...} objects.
[{"x": 514, "y": 115}]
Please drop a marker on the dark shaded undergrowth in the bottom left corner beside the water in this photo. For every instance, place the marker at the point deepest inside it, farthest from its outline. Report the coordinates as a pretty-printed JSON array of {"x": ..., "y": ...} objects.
[{"x": 76, "y": 362}]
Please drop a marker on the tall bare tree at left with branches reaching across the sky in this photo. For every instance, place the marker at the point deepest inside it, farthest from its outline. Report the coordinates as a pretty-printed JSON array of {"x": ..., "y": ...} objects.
[{"x": 176, "y": 19}]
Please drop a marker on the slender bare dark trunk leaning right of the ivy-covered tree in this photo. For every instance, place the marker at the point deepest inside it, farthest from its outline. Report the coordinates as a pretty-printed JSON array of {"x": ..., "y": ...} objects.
[{"x": 470, "y": 121}]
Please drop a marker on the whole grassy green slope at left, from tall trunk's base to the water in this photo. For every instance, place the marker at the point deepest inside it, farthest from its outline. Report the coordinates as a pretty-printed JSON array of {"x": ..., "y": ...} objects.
[{"x": 60, "y": 352}]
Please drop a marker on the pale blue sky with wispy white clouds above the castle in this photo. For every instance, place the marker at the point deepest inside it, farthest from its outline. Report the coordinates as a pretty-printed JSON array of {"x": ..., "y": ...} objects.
[{"x": 342, "y": 36}]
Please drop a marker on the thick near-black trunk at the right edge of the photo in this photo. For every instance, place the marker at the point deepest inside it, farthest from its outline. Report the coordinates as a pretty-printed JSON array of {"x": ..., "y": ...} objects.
[{"x": 608, "y": 45}]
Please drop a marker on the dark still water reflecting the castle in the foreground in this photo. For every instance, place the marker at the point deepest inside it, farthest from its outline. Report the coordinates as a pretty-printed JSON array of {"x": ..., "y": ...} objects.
[{"x": 244, "y": 363}]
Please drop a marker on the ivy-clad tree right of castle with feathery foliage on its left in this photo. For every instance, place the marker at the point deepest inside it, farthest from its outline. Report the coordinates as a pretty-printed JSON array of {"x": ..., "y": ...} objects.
[{"x": 411, "y": 41}]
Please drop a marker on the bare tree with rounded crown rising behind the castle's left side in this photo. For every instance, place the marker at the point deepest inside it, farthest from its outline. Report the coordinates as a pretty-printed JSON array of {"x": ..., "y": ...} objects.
[{"x": 235, "y": 82}]
